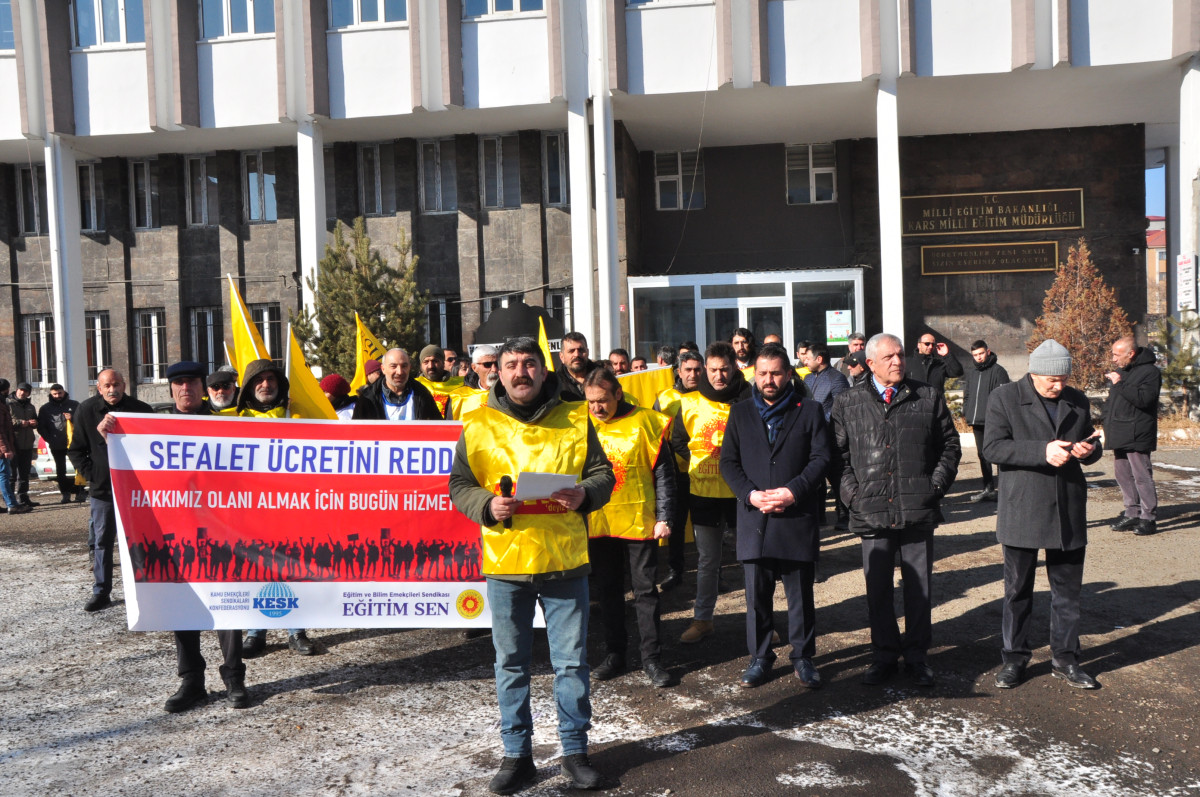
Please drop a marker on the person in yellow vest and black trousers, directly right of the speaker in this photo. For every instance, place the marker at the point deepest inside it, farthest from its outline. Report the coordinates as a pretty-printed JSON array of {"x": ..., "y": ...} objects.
[{"x": 632, "y": 524}]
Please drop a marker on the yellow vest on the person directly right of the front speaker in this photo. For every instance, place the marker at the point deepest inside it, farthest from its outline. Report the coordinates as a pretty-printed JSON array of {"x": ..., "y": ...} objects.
[{"x": 633, "y": 445}]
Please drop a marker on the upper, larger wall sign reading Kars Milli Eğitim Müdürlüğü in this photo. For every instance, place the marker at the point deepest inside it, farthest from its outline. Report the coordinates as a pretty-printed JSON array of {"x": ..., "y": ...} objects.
[{"x": 1000, "y": 212}]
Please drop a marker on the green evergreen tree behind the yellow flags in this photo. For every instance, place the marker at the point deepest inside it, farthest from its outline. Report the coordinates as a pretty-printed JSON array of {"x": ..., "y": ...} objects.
[{"x": 353, "y": 278}]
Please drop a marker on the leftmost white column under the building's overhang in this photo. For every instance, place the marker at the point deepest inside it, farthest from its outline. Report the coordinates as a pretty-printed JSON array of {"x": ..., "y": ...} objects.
[{"x": 67, "y": 265}]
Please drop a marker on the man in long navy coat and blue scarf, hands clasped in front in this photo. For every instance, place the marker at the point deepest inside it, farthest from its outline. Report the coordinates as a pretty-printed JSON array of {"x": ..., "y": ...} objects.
[{"x": 775, "y": 459}]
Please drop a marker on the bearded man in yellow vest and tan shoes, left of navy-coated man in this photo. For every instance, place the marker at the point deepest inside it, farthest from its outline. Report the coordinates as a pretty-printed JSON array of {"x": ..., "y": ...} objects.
[{"x": 697, "y": 439}]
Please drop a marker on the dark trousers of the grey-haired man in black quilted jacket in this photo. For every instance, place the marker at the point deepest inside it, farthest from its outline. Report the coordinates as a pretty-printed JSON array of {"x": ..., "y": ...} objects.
[{"x": 915, "y": 544}]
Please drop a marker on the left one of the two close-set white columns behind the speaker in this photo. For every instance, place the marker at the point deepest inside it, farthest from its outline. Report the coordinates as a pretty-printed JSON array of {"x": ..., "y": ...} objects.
[{"x": 579, "y": 153}]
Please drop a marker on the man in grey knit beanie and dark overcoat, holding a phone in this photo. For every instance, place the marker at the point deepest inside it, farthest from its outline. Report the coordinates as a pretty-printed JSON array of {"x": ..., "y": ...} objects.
[{"x": 1040, "y": 433}]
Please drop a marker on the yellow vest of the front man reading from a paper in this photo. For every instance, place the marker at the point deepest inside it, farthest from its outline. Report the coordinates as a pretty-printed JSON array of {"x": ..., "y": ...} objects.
[{"x": 545, "y": 536}]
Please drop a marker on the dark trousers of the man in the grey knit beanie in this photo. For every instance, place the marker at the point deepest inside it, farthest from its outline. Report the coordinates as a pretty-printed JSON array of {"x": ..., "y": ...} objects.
[{"x": 1066, "y": 573}]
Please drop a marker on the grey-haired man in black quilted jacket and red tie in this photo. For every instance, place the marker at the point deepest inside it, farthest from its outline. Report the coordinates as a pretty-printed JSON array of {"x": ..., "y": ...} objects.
[{"x": 899, "y": 454}]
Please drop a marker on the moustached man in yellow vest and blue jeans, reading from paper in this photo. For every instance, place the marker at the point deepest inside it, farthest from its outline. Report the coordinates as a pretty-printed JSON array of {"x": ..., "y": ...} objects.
[{"x": 535, "y": 552}]
